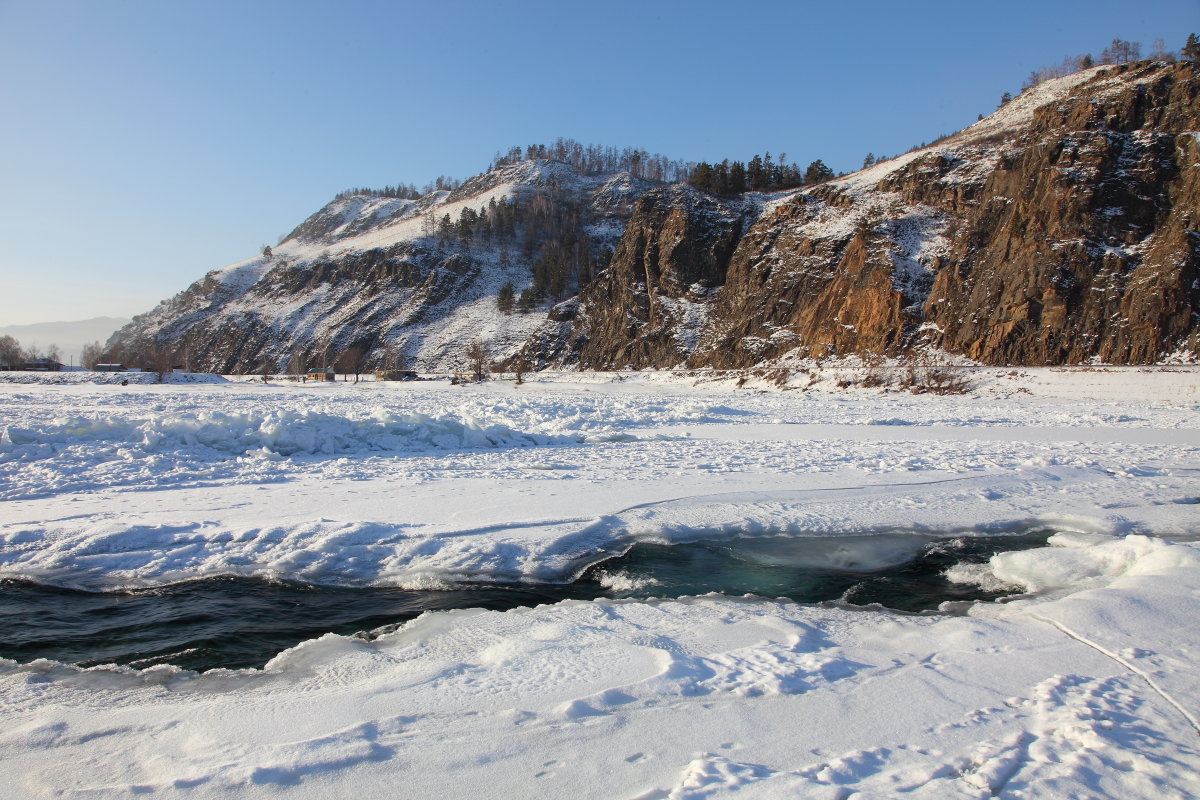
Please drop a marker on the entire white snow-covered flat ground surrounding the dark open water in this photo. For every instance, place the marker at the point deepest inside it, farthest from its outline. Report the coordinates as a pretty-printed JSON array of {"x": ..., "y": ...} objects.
[{"x": 1085, "y": 687}]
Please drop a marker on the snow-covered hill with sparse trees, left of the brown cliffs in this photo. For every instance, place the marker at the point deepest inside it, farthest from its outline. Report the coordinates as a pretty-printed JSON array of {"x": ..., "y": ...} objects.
[{"x": 399, "y": 281}]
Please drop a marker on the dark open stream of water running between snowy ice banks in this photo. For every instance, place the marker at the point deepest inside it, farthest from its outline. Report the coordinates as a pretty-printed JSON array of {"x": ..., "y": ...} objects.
[{"x": 243, "y": 623}]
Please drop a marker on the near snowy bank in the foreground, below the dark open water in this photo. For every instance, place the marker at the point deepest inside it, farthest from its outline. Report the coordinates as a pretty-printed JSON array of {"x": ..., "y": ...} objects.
[{"x": 1043, "y": 697}]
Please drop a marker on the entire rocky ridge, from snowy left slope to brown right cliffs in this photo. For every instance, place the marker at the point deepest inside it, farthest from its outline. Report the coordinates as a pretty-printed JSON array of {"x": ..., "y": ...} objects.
[{"x": 1060, "y": 230}]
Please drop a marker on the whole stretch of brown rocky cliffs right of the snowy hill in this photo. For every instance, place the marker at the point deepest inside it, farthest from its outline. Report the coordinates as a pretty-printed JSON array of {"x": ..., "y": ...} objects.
[{"x": 1061, "y": 230}]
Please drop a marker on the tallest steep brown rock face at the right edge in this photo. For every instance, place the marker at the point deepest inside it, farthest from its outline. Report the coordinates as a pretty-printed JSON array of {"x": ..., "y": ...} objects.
[{"x": 1087, "y": 244}]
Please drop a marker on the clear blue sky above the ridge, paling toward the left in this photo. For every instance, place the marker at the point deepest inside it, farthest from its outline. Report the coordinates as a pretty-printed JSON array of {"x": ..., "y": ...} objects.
[{"x": 147, "y": 142}]
